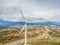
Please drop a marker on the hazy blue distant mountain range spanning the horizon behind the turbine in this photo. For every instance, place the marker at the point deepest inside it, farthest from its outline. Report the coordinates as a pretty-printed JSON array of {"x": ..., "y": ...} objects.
[{"x": 7, "y": 23}]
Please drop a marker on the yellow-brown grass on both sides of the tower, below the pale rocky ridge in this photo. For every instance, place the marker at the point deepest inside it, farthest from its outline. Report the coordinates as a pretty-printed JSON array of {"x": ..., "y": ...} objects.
[{"x": 8, "y": 35}]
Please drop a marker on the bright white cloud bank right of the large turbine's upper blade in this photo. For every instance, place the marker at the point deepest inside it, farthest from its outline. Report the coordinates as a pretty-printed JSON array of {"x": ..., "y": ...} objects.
[{"x": 49, "y": 14}]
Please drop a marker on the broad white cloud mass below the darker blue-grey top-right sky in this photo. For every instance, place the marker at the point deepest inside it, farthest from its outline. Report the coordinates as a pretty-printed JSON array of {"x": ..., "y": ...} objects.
[{"x": 30, "y": 9}]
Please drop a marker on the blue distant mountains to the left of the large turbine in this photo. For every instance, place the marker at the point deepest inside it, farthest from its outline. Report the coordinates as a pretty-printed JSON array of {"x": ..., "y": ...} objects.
[{"x": 7, "y": 23}]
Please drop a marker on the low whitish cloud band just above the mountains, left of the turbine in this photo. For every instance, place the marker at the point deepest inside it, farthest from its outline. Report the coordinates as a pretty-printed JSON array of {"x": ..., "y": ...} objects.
[{"x": 13, "y": 18}]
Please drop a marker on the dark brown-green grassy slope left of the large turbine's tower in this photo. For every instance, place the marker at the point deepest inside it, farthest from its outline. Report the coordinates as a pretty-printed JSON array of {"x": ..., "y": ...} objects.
[{"x": 9, "y": 35}]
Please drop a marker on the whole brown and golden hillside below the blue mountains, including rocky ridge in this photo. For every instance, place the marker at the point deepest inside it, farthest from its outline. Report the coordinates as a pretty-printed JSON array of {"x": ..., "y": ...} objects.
[{"x": 36, "y": 35}]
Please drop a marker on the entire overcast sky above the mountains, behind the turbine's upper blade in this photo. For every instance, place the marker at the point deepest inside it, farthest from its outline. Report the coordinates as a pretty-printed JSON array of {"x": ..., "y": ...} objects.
[{"x": 33, "y": 10}]
